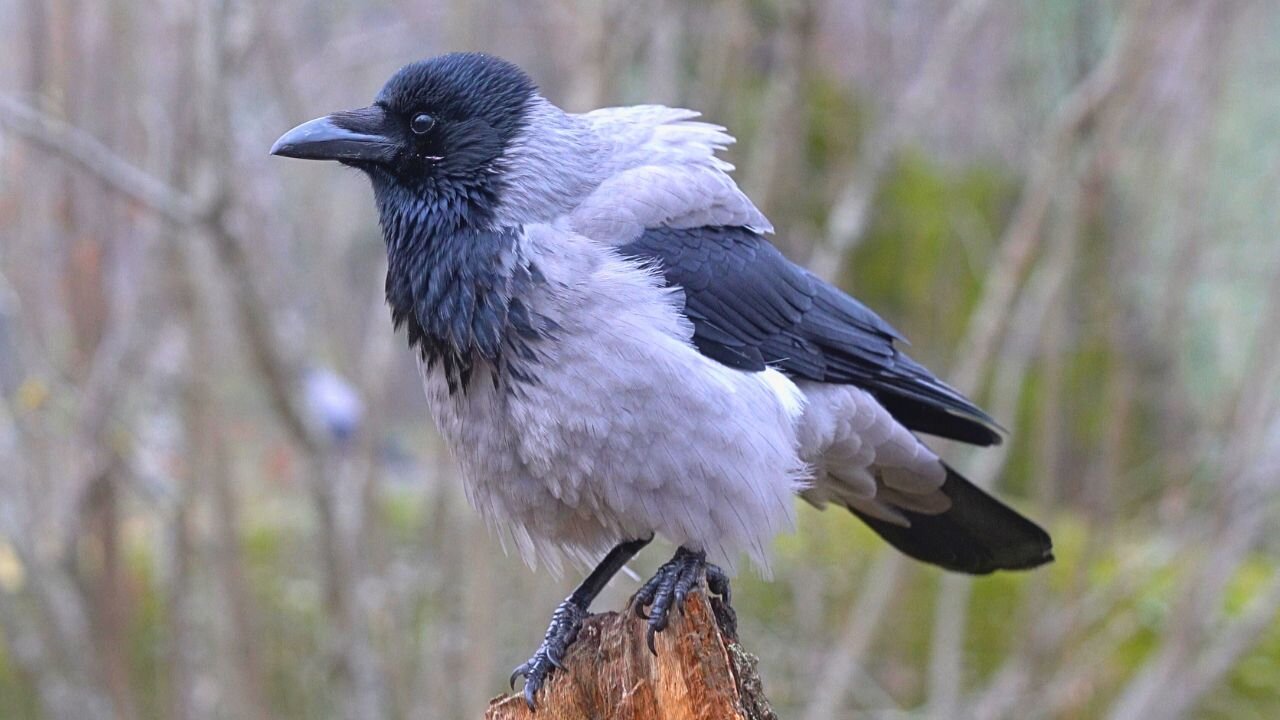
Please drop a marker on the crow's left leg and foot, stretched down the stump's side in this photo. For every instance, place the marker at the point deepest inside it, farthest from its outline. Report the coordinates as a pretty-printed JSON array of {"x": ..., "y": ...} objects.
[{"x": 568, "y": 619}]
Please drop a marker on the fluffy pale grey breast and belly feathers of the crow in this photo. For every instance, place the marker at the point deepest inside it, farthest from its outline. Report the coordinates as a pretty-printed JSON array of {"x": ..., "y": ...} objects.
[{"x": 625, "y": 429}]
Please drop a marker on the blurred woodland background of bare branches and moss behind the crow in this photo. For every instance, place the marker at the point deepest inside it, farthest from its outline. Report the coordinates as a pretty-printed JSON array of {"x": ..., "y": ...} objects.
[{"x": 221, "y": 495}]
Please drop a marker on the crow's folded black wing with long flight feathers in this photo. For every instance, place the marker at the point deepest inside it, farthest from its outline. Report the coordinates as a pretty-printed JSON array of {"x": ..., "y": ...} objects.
[{"x": 751, "y": 308}]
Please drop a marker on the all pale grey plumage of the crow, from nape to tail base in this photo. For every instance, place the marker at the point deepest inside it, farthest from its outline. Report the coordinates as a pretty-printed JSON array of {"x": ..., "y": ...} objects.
[{"x": 627, "y": 429}]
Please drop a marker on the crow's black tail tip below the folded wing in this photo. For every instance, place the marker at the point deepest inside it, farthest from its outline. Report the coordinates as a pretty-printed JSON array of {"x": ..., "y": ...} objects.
[{"x": 979, "y": 535}]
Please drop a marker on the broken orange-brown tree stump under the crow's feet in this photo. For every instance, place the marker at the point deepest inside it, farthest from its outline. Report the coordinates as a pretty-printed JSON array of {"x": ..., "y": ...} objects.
[{"x": 701, "y": 672}]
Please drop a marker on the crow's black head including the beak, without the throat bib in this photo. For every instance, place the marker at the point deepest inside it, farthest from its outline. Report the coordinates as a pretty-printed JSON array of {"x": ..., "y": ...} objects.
[{"x": 444, "y": 119}]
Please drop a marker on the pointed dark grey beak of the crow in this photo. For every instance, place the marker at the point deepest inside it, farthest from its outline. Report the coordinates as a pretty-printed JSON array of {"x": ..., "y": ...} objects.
[{"x": 348, "y": 136}]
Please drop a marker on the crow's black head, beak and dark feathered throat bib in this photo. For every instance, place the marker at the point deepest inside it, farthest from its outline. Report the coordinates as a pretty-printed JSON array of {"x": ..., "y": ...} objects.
[{"x": 429, "y": 144}]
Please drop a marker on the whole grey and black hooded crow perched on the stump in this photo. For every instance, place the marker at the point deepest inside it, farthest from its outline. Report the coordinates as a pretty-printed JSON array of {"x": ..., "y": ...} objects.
[{"x": 614, "y": 350}]
